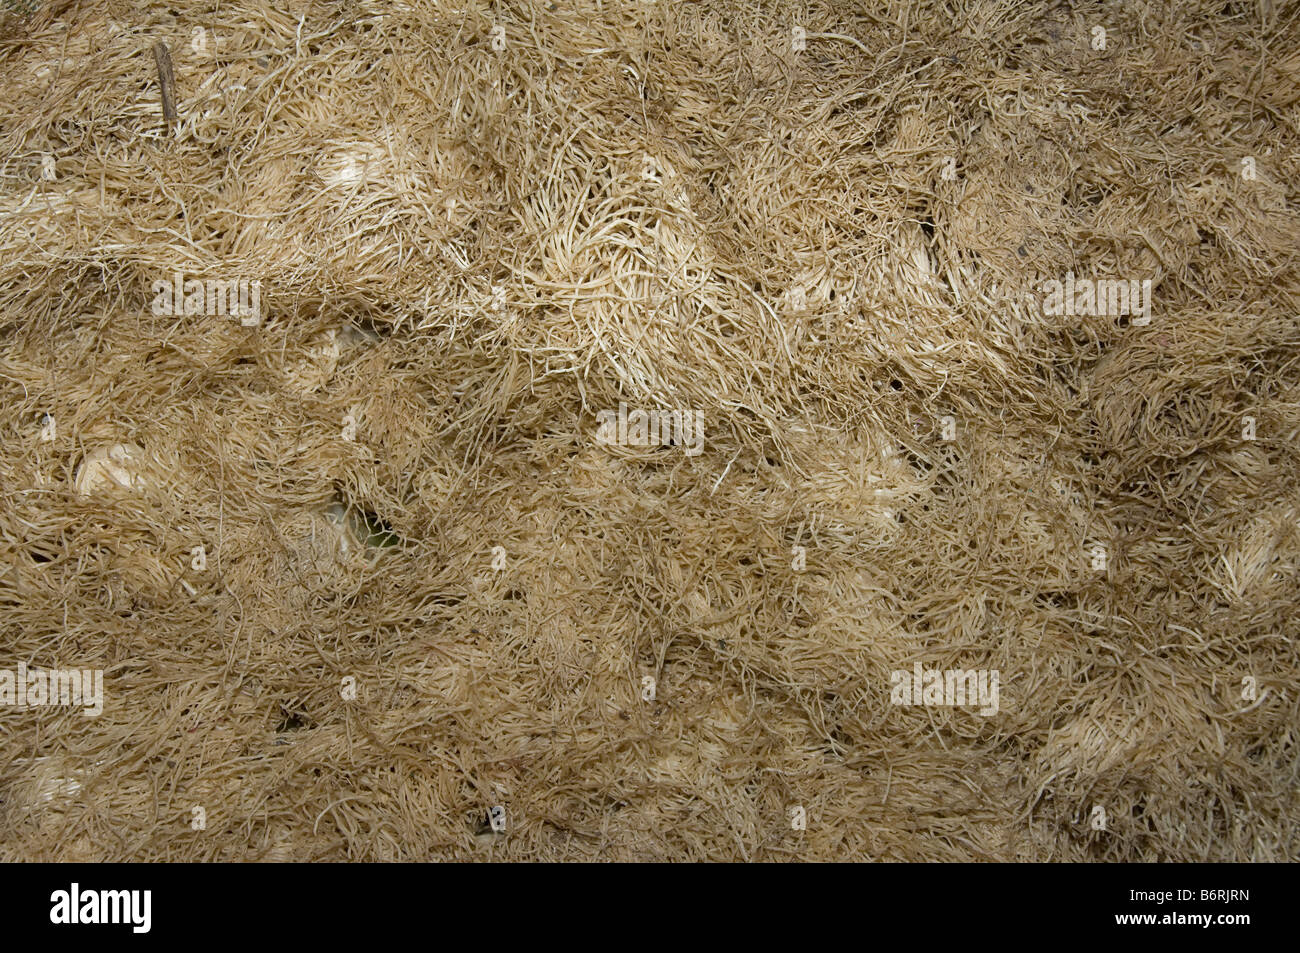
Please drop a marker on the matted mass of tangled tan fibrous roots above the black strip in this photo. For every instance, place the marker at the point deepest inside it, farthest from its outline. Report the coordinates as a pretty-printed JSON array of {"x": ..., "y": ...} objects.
[{"x": 426, "y": 587}]
